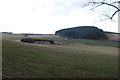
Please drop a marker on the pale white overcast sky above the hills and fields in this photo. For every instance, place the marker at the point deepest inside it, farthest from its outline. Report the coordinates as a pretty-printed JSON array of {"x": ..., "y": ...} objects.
[{"x": 47, "y": 16}]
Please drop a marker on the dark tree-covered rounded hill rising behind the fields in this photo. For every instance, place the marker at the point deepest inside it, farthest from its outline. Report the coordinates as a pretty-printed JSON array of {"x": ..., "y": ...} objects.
[{"x": 82, "y": 32}]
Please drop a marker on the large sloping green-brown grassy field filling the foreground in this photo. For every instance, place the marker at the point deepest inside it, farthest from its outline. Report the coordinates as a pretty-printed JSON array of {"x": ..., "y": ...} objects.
[{"x": 24, "y": 60}]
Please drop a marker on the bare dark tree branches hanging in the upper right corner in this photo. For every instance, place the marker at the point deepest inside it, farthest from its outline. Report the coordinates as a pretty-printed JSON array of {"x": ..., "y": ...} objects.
[{"x": 113, "y": 4}]
